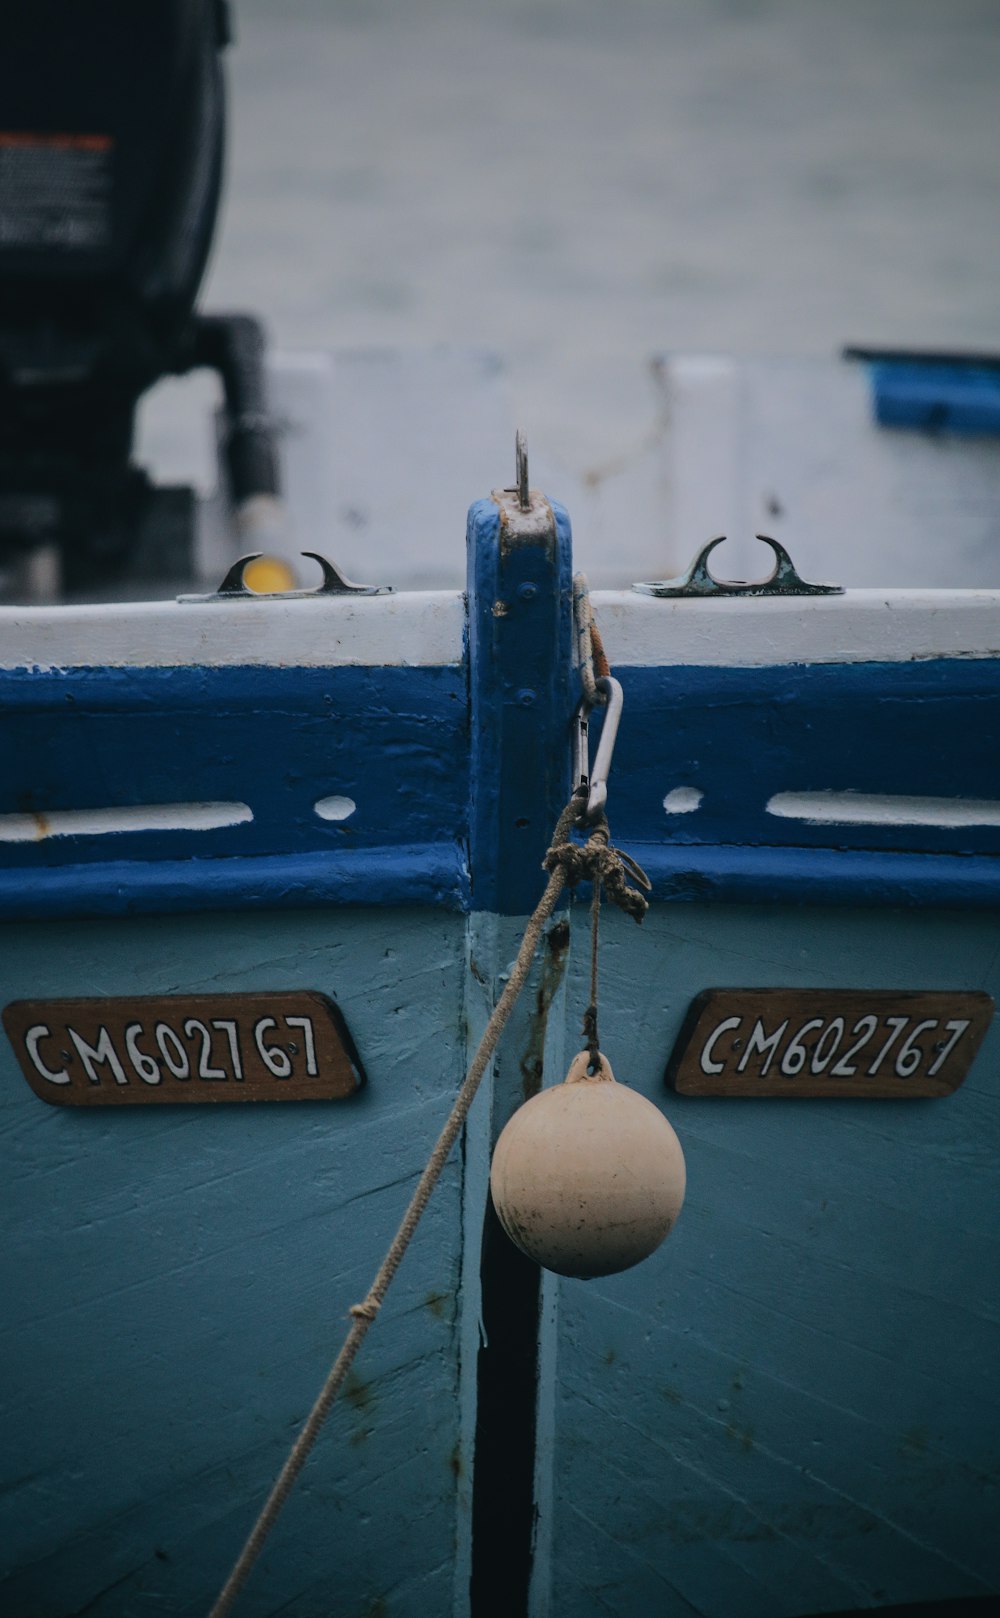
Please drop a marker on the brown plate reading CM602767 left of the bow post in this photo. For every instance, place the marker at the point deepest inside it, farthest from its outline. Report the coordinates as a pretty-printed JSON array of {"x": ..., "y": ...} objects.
[{"x": 255, "y": 1048}]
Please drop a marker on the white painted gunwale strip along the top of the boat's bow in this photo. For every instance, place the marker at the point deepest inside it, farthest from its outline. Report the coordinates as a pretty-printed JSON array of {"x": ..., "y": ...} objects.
[{"x": 423, "y": 629}]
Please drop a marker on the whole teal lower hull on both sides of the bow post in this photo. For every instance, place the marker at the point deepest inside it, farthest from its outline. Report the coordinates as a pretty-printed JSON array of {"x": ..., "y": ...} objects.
[{"x": 795, "y": 1394}]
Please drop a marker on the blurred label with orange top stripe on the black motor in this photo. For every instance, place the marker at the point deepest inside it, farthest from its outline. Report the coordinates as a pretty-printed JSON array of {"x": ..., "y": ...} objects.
[{"x": 56, "y": 192}]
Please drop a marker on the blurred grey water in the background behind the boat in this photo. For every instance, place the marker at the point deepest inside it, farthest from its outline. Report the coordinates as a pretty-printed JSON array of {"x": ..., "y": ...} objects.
[{"x": 574, "y": 184}]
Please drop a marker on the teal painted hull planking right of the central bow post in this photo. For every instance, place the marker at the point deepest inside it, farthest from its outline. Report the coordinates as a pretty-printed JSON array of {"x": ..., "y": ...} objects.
[{"x": 790, "y": 1408}]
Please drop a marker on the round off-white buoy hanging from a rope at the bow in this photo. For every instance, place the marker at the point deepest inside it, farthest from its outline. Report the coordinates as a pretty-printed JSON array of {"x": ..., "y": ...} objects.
[{"x": 588, "y": 1177}]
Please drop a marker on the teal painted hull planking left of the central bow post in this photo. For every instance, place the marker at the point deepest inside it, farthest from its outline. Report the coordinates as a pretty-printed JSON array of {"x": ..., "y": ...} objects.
[{"x": 177, "y": 1284}]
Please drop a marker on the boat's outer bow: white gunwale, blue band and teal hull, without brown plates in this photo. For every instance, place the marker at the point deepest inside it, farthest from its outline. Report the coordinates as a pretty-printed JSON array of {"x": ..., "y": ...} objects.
[{"x": 790, "y": 1407}]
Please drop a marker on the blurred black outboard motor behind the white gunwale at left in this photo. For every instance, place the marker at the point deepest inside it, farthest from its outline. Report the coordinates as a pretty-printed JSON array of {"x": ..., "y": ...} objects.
[{"x": 111, "y": 167}]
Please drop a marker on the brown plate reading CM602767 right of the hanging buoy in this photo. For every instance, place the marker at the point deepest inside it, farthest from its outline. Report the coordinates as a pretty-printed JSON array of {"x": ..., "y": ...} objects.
[{"x": 875, "y": 1043}]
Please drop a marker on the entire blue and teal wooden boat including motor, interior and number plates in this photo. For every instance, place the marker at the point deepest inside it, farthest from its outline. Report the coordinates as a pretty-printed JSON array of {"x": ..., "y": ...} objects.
[{"x": 281, "y": 850}]
